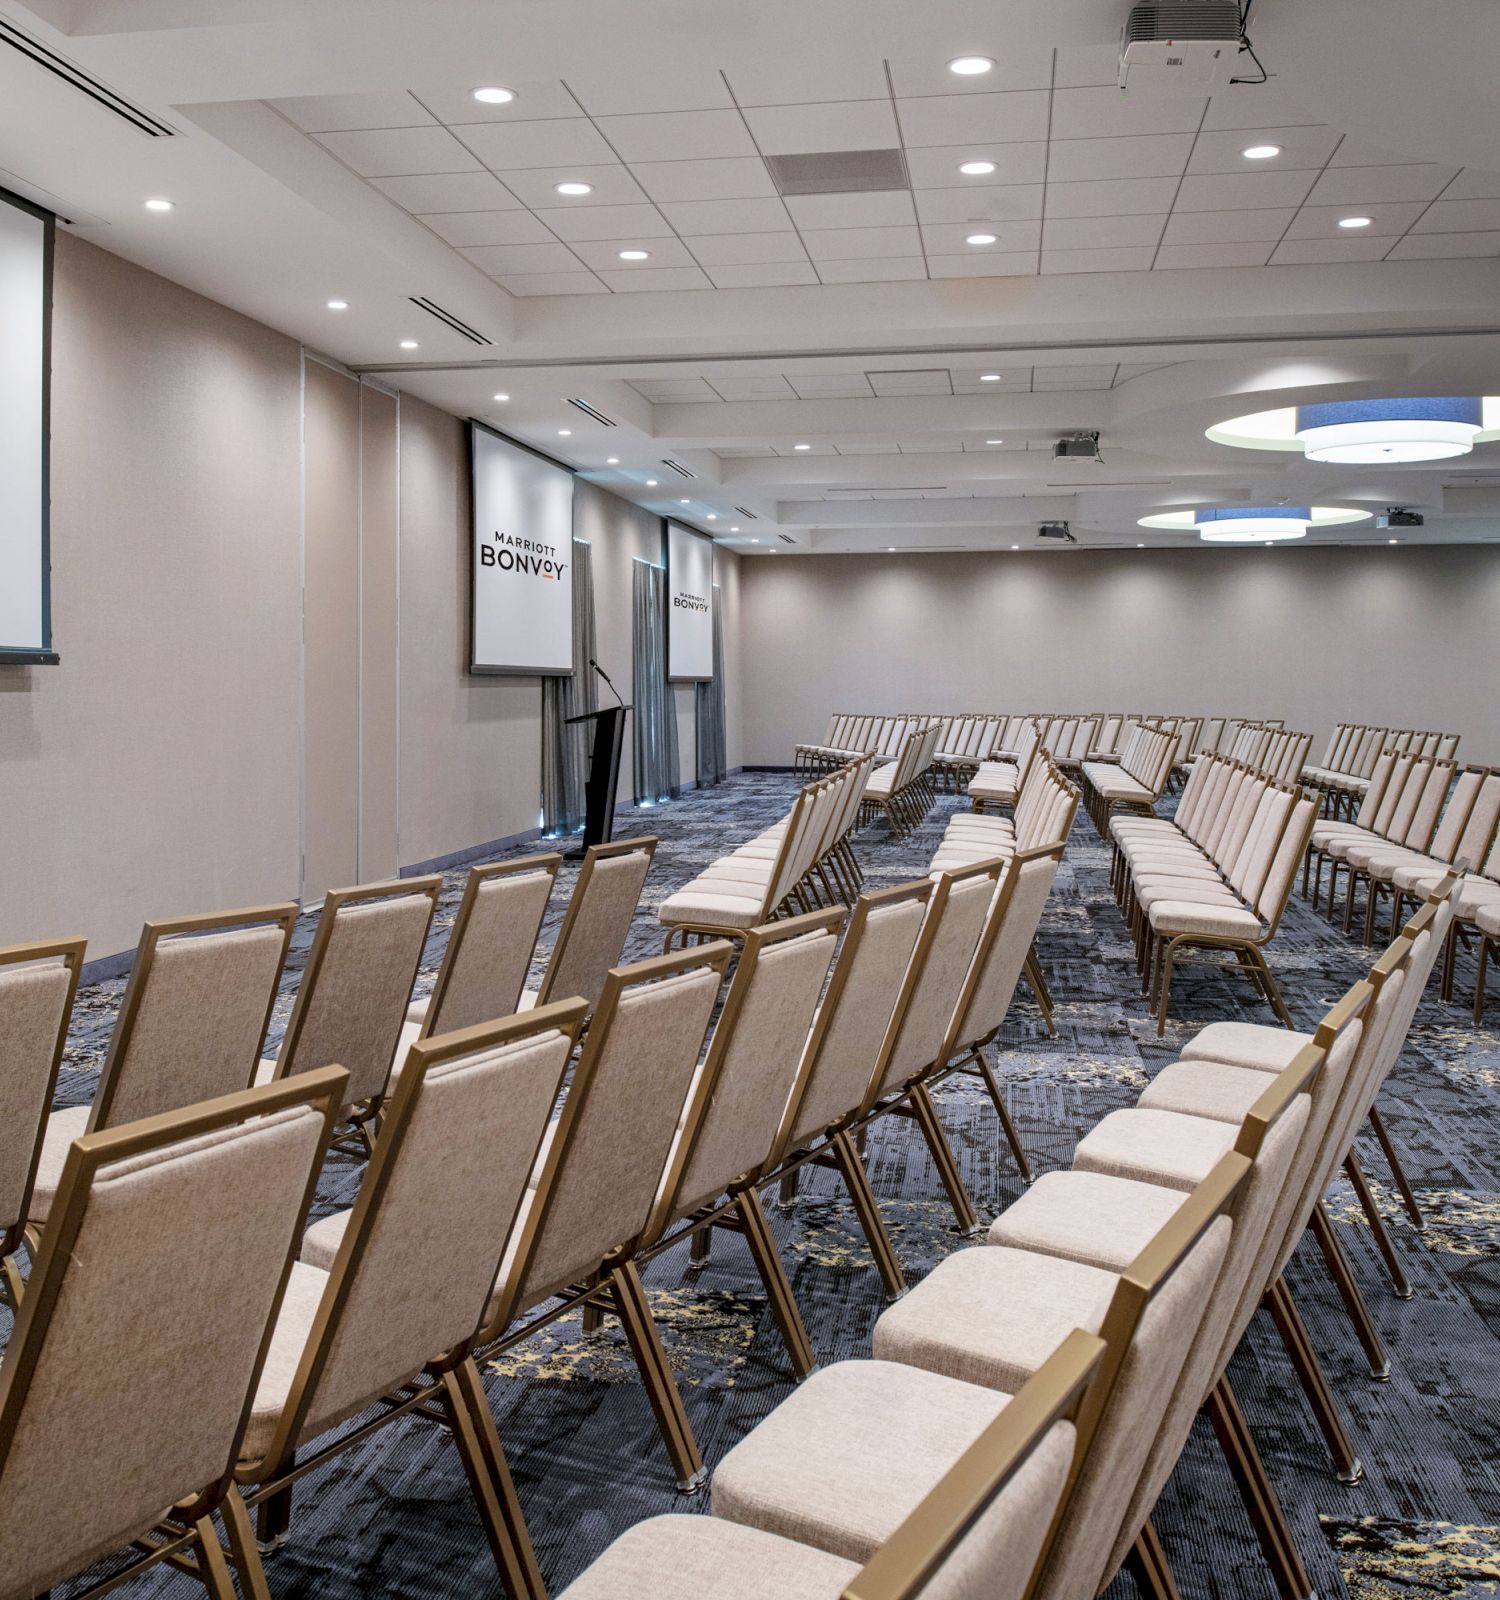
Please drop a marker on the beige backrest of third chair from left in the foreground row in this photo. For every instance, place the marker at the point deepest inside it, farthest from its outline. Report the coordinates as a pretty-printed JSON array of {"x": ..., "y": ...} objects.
[{"x": 605, "y": 1166}]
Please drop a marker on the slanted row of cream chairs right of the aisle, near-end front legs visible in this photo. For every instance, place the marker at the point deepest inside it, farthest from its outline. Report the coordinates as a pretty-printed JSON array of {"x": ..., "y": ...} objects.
[{"x": 1213, "y": 878}]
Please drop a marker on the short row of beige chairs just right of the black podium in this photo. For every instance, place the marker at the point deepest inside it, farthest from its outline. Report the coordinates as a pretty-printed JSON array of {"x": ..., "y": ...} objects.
[{"x": 800, "y": 862}]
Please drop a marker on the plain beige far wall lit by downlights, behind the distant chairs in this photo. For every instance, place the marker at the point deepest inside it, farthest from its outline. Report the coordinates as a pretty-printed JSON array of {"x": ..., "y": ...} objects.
[{"x": 1386, "y": 636}]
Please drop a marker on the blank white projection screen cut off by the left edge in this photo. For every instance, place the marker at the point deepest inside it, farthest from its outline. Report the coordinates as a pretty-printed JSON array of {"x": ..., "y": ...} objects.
[{"x": 26, "y": 258}]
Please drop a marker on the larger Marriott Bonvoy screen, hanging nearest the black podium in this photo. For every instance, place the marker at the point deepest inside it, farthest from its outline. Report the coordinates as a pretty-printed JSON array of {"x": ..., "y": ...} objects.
[{"x": 522, "y": 559}]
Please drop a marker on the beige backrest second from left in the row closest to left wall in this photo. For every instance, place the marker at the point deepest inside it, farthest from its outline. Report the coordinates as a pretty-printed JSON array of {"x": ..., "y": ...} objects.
[{"x": 194, "y": 1017}]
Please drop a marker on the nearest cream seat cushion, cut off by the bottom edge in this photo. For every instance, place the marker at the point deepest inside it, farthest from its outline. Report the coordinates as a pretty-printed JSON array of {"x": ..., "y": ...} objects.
[{"x": 700, "y": 1558}]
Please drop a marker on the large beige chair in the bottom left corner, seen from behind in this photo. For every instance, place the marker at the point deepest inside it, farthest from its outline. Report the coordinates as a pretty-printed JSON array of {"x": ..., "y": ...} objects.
[{"x": 113, "y": 1441}]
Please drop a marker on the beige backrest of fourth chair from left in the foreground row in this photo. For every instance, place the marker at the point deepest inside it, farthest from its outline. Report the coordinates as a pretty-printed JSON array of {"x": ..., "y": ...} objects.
[{"x": 752, "y": 1063}]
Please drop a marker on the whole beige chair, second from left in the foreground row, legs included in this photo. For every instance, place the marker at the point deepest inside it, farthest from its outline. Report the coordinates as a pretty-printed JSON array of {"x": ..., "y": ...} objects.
[{"x": 386, "y": 1319}]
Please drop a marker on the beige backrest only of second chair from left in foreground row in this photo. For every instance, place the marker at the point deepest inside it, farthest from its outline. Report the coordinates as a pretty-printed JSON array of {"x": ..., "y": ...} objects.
[{"x": 421, "y": 1250}]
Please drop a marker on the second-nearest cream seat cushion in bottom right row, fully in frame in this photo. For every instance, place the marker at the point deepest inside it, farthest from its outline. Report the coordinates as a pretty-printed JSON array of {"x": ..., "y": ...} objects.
[{"x": 845, "y": 1458}]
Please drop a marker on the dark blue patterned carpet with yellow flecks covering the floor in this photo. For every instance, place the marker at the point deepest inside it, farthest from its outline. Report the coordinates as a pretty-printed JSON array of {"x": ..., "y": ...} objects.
[{"x": 394, "y": 1516}]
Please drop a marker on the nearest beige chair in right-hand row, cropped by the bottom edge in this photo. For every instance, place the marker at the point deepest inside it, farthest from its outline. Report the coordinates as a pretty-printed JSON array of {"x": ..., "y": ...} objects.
[{"x": 979, "y": 1529}]
